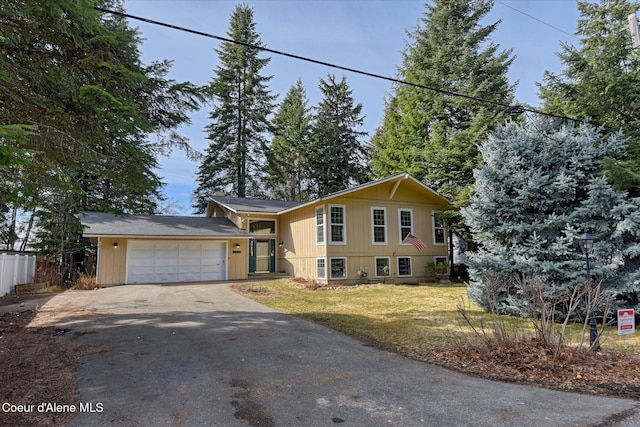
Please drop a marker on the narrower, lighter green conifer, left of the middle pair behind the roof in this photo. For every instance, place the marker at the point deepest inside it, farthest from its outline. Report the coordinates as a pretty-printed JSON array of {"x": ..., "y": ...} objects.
[{"x": 288, "y": 157}]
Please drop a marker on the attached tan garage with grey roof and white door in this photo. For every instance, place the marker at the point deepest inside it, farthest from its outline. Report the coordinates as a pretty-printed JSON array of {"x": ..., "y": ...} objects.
[{"x": 165, "y": 249}]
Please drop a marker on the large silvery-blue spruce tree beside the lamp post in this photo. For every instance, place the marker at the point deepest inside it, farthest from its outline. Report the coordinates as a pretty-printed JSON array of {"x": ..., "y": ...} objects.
[{"x": 540, "y": 188}]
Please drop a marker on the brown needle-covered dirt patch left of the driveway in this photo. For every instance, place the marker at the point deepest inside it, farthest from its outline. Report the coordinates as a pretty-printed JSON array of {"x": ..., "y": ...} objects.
[{"x": 39, "y": 364}]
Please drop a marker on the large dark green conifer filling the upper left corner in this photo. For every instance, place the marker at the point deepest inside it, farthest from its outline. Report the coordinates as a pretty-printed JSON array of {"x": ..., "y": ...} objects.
[{"x": 77, "y": 107}]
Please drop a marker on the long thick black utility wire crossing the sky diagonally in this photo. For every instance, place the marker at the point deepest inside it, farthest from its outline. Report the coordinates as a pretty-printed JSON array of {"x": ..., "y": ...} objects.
[{"x": 510, "y": 109}]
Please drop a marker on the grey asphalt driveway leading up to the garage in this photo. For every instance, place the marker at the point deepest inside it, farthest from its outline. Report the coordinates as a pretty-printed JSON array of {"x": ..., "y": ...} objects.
[{"x": 198, "y": 355}]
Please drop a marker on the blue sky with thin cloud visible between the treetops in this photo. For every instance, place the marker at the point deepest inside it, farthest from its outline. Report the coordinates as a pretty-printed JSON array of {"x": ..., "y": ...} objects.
[{"x": 368, "y": 35}]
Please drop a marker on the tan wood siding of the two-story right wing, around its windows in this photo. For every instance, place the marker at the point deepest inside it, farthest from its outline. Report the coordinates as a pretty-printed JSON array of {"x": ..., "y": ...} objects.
[{"x": 299, "y": 228}]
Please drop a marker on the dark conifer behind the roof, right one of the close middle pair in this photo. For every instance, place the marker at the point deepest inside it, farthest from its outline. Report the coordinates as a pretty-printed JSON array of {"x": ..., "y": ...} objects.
[{"x": 336, "y": 155}]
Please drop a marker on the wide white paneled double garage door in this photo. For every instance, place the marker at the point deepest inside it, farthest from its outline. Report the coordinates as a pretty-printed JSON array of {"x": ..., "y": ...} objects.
[{"x": 166, "y": 261}]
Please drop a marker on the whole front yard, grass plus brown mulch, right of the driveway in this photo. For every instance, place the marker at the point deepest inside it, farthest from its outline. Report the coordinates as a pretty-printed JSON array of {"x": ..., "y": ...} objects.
[{"x": 423, "y": 322}]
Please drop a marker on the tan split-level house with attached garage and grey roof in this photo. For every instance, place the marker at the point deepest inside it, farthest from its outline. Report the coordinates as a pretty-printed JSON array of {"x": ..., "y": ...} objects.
[{"x": 353, "y": 236}]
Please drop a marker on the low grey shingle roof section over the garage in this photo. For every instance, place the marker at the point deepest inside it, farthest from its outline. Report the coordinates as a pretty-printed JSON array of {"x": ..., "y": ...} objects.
[{"x": 105, "y": 224}]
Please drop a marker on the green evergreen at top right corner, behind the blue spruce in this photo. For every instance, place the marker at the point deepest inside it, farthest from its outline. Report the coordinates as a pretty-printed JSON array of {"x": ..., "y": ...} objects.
[{"x": 600, "y": 83}]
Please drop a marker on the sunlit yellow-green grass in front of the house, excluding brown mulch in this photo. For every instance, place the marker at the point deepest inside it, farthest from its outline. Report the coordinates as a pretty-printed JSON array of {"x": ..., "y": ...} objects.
[{"x": 402, "y": 318}]
